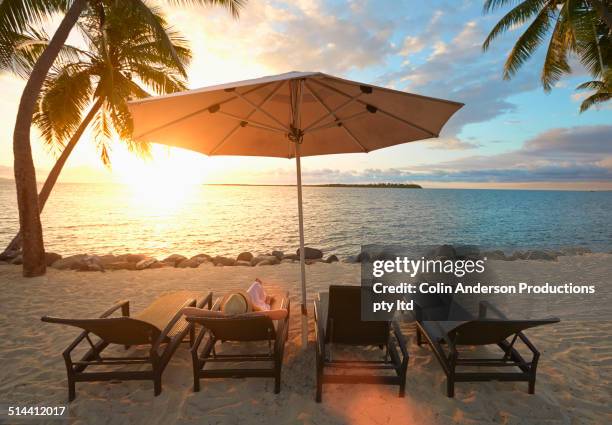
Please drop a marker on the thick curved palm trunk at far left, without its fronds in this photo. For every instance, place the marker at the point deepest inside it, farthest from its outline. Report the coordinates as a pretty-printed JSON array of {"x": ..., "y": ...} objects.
[{"x": 25, "y": 175}]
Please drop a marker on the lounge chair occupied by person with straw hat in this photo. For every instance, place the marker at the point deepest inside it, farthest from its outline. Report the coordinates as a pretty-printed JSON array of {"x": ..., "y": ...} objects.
[{"x": 253, "y": 326}]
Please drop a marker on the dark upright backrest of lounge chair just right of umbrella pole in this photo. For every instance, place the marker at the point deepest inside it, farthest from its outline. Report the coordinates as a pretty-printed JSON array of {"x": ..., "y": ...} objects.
[{"x": 344, "y": 324}]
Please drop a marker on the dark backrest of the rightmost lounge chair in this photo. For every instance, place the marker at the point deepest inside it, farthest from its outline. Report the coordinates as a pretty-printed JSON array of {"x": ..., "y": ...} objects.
[{"x": 492, "y": 331}]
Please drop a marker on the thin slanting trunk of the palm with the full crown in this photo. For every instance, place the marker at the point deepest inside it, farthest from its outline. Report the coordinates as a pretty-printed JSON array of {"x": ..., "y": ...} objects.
[{"x": 15, "y": 245}]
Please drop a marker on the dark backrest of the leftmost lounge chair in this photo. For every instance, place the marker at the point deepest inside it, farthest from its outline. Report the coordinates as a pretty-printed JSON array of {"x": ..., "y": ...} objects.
[{"x": 114, "y": 330}]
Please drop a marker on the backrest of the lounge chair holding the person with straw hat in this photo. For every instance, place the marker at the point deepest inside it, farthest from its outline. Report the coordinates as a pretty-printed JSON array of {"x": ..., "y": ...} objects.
[{"x": 236, "y": 328}]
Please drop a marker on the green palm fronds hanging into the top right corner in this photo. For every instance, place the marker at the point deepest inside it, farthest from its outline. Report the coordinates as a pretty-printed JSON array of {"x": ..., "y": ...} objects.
[{"x": 572, "y": 27}]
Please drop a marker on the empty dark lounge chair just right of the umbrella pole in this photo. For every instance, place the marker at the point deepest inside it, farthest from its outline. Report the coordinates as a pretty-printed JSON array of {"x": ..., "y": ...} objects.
[{"x": 338, "y": 321}]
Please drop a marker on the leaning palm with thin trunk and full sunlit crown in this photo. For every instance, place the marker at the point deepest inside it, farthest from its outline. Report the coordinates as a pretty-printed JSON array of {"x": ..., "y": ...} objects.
[{"x": 119, "y": 48}]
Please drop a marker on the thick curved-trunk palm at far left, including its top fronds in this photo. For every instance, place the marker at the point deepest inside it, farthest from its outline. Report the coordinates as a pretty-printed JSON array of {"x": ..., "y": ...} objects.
[{"x": 15, "y": 17}]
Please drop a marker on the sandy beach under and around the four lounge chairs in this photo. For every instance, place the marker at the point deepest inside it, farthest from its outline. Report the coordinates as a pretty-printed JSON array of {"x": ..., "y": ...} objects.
[{"x": 574, "y": 378}]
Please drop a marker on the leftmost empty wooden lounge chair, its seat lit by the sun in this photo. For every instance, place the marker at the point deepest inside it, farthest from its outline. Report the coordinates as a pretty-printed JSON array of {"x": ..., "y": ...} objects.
[{"x": 161, "y": 326}]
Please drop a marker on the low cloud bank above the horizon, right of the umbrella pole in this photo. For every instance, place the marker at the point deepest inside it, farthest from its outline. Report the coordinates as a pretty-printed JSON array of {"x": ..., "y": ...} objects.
[{"x": 562, "y": 155}]
